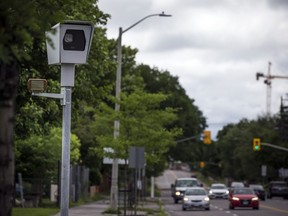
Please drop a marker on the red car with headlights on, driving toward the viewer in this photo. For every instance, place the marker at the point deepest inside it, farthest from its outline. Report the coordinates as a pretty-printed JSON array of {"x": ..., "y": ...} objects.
[{"x": 243, "y": 197}]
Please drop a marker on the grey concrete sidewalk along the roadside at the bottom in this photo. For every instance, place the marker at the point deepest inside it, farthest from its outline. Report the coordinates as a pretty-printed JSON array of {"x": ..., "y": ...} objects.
[{"x": 97, "y": 208}]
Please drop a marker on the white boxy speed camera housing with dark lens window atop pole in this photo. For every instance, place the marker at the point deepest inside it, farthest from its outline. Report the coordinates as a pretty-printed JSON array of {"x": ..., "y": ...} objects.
[{"x": 69, "y": 42}]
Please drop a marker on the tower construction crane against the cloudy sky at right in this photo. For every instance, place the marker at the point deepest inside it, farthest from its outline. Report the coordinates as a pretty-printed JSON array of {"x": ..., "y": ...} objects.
[{"x": 268, "y": 82}]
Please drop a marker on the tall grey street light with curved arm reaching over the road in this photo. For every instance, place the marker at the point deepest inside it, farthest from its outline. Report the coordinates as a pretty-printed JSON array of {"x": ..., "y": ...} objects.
[{"x": 114, "y": 180}]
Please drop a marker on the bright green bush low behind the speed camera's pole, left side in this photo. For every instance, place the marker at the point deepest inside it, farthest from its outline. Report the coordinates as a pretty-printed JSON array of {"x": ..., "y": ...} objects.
[{"x": 37, "y": 156}]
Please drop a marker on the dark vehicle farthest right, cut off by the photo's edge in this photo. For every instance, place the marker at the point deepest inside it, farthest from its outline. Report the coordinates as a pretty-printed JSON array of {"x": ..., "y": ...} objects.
[{"x": 277, "y": 189}]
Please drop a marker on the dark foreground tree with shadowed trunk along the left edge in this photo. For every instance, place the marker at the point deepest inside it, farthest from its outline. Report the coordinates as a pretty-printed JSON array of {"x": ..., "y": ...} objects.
[{"x": 16, "y": 37}]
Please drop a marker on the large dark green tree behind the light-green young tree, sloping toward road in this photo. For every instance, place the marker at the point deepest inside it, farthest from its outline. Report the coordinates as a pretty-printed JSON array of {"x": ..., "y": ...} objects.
[{"x": 189, "y": 118}]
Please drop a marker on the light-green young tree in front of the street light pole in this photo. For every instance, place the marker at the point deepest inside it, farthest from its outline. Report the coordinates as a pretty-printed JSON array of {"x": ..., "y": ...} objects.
[{"x": 142, "y": 123}]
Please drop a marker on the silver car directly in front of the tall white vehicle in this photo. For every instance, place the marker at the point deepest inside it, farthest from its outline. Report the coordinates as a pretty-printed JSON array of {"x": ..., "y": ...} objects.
[{"x": 195, "y": 198}]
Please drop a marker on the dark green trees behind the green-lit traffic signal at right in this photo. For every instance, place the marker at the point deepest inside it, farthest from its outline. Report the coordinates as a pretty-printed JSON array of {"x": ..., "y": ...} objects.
[{"x": 237, "y": 157}]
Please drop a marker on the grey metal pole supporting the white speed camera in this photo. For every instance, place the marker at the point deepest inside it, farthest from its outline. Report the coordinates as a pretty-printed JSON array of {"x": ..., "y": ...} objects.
[{"x": 67, "y": 82}]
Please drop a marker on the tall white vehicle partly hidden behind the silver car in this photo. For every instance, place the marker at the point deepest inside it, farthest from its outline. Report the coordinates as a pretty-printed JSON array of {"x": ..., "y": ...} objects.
[{"x": 181, "y": 185}]
